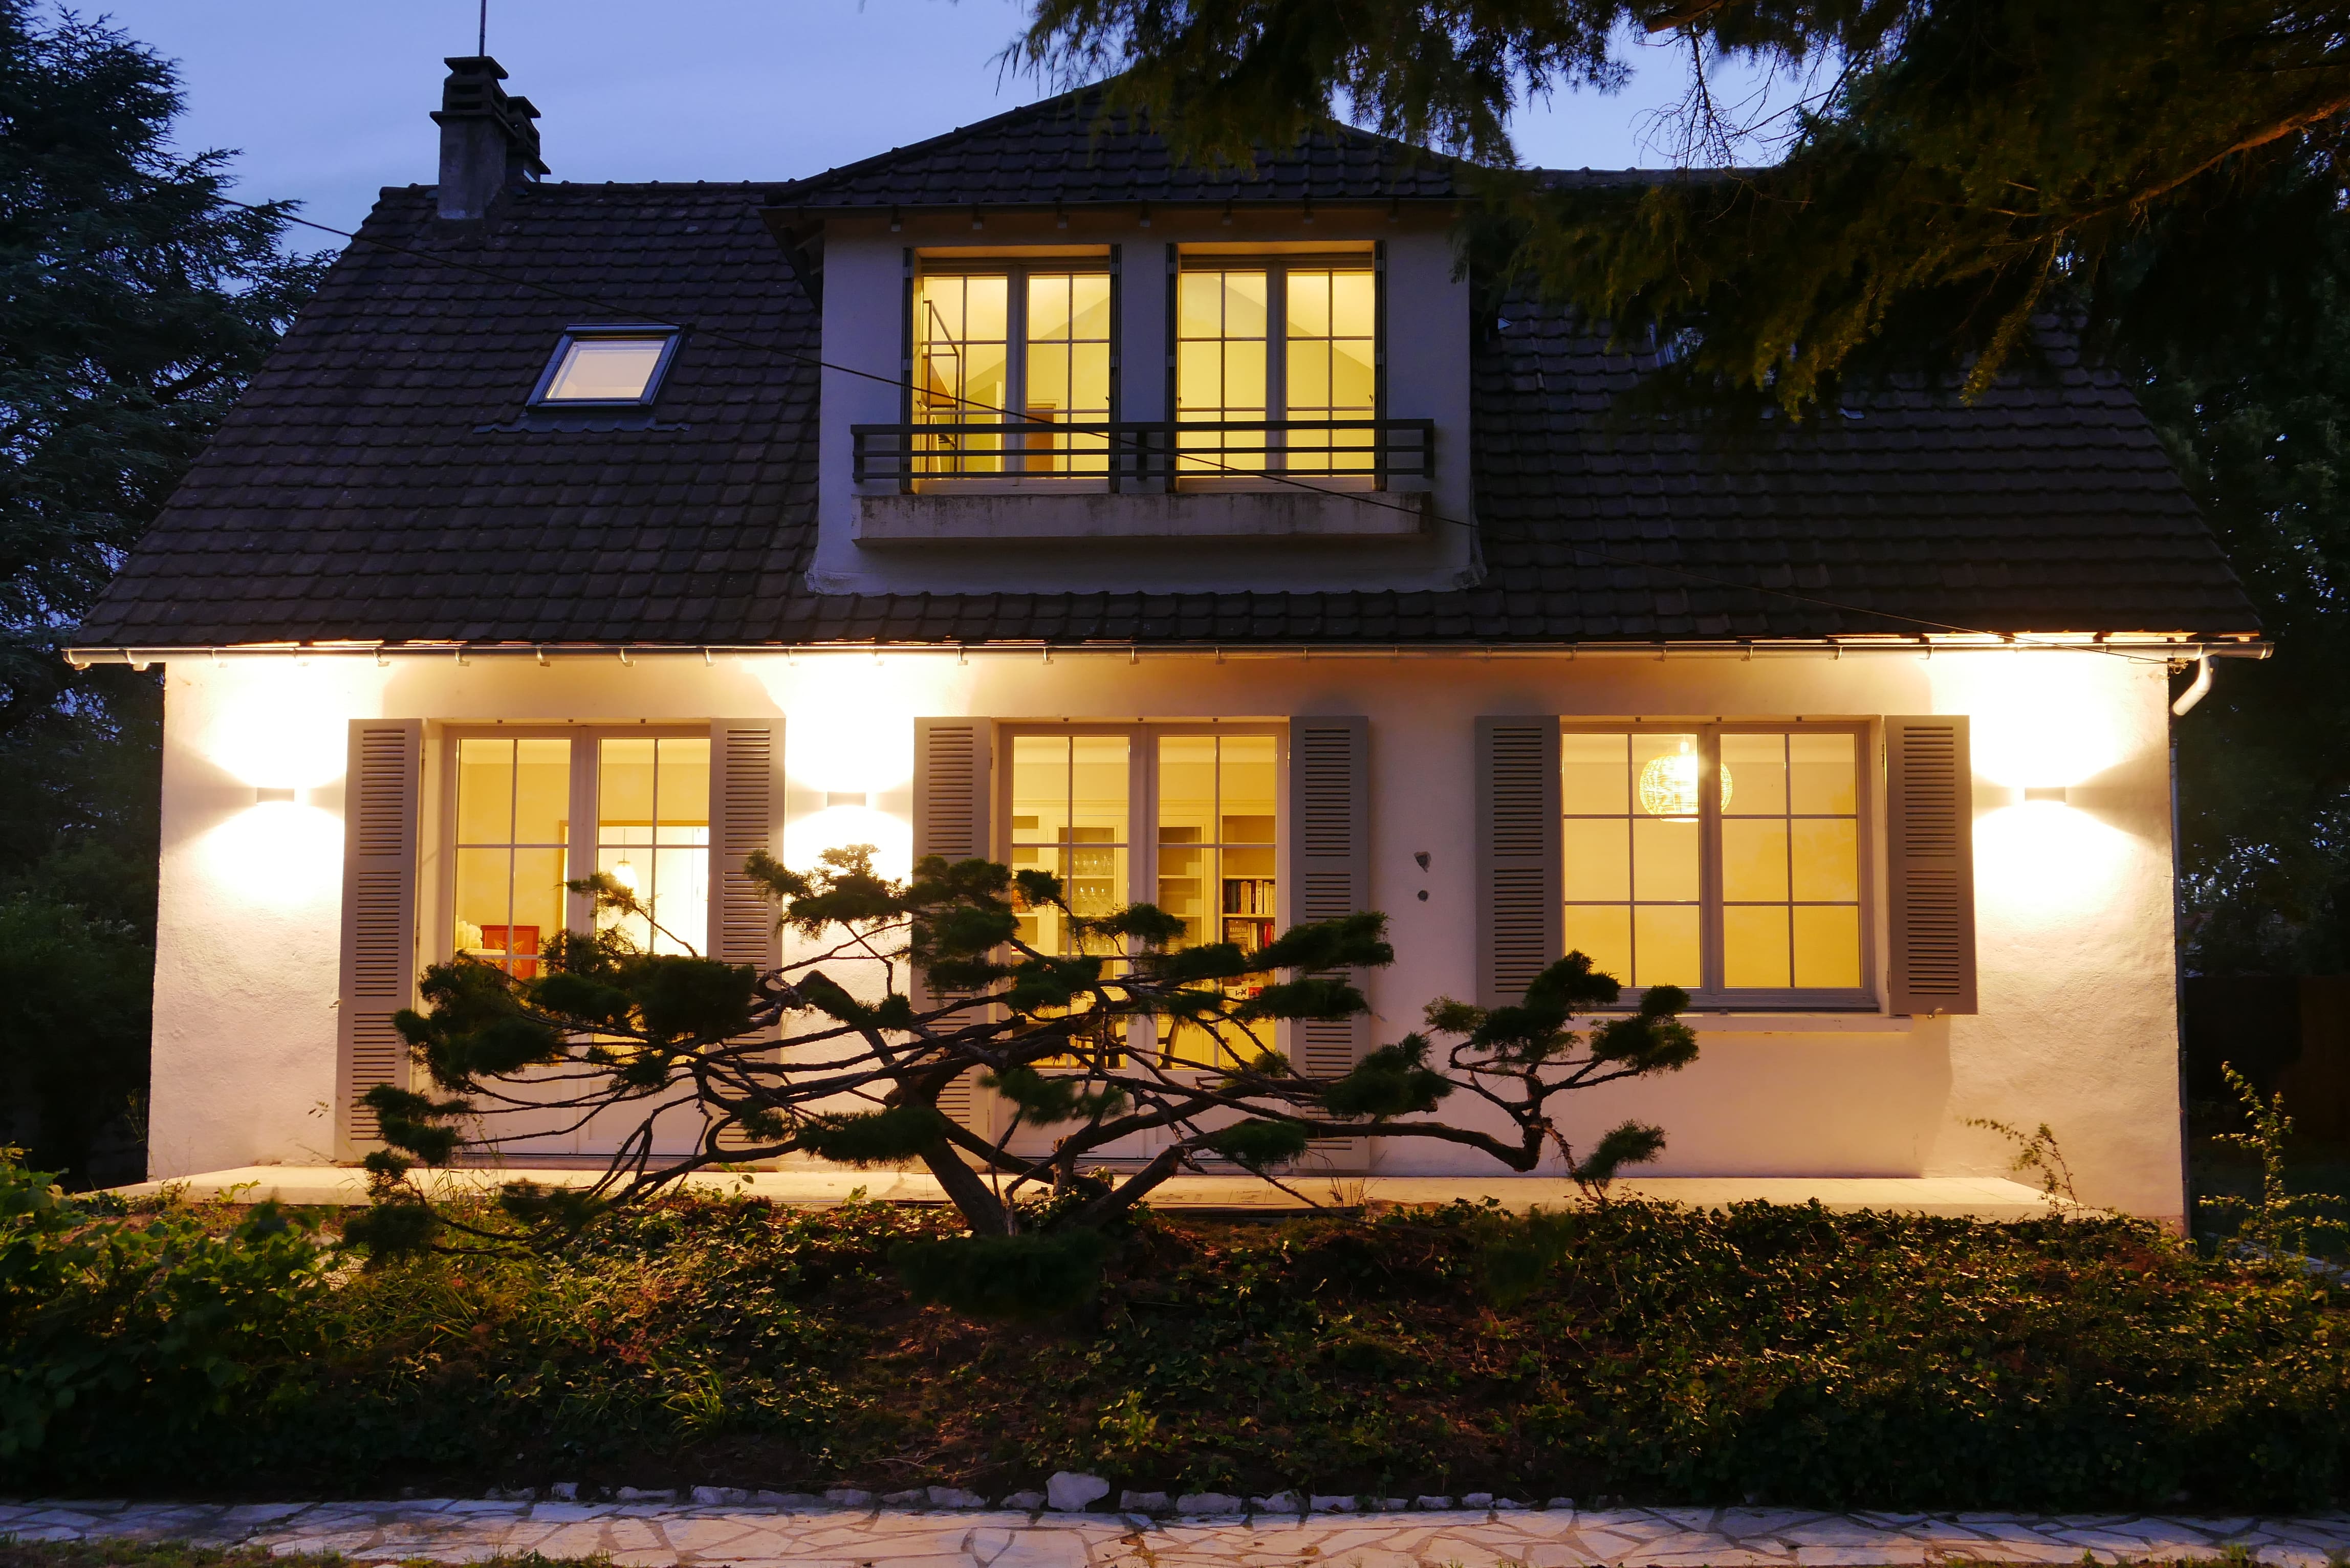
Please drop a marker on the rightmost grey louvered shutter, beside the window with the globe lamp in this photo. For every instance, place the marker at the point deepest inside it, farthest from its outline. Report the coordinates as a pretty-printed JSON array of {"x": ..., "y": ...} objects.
[{"x": 1931, "y": 864}]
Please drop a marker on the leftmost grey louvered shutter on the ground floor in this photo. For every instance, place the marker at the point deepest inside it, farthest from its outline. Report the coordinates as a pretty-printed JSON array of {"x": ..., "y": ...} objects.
[{"x": 380, "y": 918}]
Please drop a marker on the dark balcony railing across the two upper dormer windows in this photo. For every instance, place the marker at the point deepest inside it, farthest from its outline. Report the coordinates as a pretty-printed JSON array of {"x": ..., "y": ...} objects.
[{"x": 1136, "y": 455}]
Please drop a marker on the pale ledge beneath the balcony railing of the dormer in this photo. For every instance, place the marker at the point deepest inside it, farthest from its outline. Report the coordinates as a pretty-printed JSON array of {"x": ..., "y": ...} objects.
[{"x": 1284, "y": 514}]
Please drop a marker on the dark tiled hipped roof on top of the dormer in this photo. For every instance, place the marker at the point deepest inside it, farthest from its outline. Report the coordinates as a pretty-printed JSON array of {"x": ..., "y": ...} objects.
[{"x": 1068, "y": 152}]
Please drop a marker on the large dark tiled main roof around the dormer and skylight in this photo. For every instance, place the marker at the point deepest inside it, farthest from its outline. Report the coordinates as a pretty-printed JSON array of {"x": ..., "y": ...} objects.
[{"x": 361, "y": 492}]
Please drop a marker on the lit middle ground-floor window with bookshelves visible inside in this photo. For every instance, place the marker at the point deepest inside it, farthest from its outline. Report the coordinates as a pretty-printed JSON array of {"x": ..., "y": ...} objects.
[{"x": 1190, "y": 815}]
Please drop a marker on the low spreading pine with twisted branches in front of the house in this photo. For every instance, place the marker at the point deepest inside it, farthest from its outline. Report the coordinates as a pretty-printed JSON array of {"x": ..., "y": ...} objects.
[{"x": 908, "y": 989}]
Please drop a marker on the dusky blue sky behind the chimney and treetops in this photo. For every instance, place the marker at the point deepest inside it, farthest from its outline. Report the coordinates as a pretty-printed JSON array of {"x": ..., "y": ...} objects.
[{"x": 328, "y": 100}]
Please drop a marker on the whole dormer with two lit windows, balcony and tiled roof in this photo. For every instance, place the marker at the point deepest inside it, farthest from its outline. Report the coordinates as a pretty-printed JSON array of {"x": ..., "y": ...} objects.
[{"x": 1061, "y": 361}]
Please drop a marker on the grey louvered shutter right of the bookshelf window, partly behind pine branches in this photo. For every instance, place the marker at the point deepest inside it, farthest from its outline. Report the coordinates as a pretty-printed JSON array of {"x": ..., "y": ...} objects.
[{"x": 1329, "y": 864}]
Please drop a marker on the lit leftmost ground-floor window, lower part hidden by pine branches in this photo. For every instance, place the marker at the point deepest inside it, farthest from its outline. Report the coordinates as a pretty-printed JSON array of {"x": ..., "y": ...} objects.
[{"x": 516, "y": 803}]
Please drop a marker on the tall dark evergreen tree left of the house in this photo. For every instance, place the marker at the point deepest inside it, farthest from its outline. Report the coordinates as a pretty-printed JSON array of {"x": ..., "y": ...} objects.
[{"x": 135, "y": 302}]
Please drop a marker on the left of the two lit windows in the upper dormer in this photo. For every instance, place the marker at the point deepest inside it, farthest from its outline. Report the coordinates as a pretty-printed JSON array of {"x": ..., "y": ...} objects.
[{"x": 1012, "y": 344}]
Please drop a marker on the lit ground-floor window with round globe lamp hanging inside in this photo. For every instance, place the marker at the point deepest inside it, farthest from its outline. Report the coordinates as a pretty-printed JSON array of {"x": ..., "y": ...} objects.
[{"x": 1719, "y": 859}]
